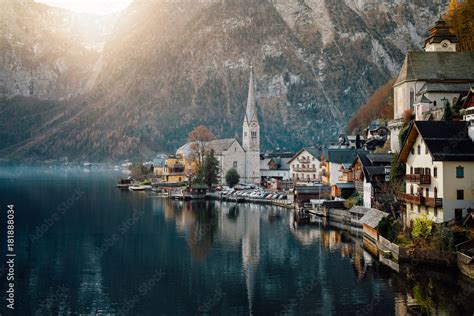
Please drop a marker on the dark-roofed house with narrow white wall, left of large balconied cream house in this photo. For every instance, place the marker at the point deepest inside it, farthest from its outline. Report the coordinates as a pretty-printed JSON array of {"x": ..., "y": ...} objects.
[{"x": 371, "y": 173}]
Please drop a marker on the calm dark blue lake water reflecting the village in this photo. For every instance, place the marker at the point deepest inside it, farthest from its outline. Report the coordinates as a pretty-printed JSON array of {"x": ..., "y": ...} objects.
[{"x": 84, "y": 247}]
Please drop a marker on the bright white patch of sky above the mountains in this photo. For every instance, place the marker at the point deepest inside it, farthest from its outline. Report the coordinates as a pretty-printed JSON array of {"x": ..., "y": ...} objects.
[{"x": 89, "y": 6}]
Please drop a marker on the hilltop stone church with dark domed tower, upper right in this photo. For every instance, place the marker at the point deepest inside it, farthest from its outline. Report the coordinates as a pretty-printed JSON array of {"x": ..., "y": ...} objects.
[{"x": 430, "y": 78}]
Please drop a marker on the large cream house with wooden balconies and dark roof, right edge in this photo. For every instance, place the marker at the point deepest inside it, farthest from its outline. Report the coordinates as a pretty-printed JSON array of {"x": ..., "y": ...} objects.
[{"x": 439, "y": 159}]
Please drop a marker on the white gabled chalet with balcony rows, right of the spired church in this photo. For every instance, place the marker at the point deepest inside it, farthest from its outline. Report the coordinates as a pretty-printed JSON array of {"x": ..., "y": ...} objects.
[{"x": 305, "y": 166}]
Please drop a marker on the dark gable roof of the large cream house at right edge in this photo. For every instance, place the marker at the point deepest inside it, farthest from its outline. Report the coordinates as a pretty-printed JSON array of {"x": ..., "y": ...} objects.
[{"x": 446, "y": 140}]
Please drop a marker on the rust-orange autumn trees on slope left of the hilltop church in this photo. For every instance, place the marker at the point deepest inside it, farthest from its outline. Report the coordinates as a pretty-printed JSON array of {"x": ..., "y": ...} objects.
[{"x": 379, "y": 105}]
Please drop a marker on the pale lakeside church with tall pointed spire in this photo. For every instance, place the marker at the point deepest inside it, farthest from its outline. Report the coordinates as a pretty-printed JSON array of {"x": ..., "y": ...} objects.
[{"x": 245, "y": 157}]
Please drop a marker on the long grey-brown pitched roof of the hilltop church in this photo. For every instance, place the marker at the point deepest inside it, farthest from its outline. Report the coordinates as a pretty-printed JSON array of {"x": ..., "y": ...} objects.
[{"x": 437, "y": 67}]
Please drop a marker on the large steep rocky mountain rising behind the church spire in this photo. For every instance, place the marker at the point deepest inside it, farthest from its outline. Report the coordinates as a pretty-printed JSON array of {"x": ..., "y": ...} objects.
[{"x": 171, "y": 65}]
